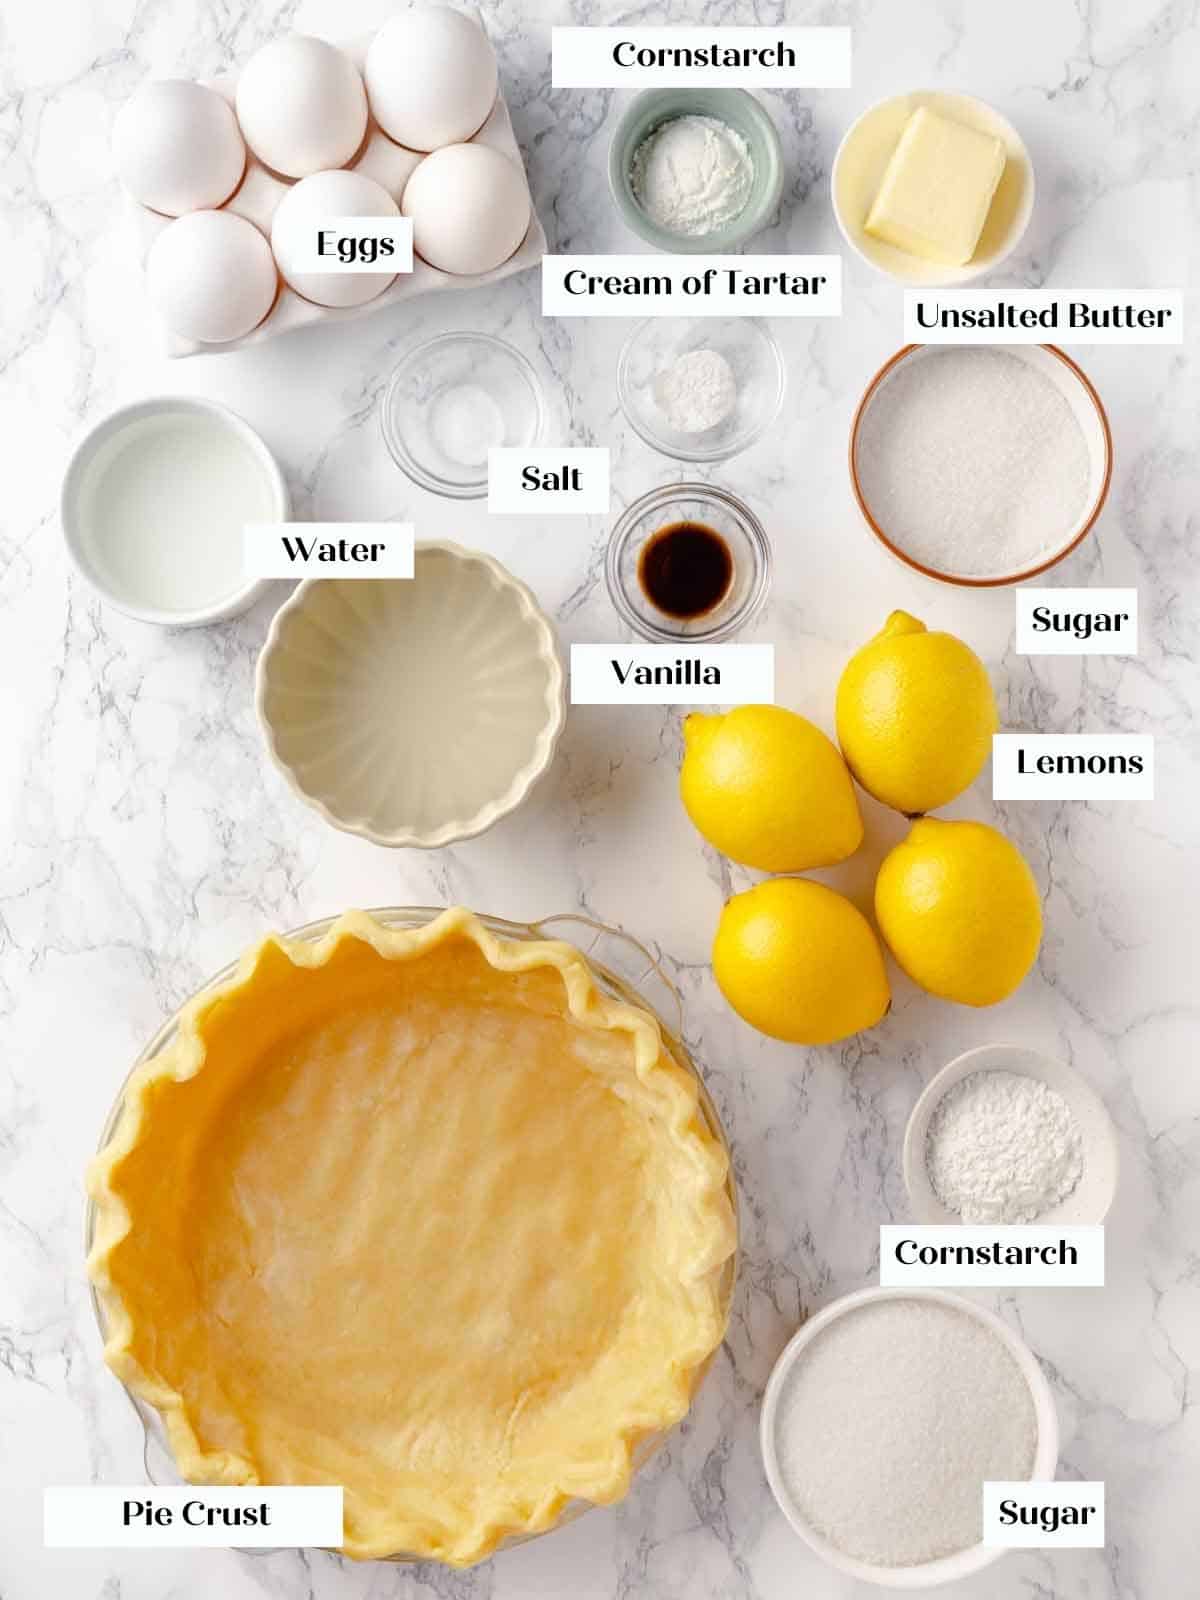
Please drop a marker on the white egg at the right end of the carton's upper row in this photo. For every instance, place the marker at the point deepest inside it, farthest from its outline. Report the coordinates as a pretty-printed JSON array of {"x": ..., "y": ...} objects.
[{"x": 431, "y": 78}]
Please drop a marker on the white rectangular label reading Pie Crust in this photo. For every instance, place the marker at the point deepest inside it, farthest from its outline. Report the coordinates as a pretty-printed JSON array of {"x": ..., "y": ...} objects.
[{"x": 102, "y": 1518}]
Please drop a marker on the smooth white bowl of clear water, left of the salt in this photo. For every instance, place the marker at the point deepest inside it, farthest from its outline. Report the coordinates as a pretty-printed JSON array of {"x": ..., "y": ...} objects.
[{"x": 154, "y": 505}]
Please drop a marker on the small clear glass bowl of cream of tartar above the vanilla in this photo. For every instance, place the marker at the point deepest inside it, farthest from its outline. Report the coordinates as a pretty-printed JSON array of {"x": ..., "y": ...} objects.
[{"x": 702, "y": 390}]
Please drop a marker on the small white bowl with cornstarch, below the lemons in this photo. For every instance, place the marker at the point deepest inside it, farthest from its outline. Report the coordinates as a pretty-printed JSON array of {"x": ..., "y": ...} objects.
[{"x": 1007, "y": 1135}]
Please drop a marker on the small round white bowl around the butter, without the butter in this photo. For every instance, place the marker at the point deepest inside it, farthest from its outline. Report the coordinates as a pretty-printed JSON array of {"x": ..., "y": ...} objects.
[{"x": 863, "y": 159}]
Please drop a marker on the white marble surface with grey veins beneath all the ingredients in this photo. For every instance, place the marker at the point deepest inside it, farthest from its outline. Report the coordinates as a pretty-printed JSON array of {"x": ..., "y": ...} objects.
[{"x": 148, "y": 841}]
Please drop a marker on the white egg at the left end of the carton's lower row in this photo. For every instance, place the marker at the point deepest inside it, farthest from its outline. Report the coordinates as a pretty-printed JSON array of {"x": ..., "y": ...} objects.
[{"x": 212, "y": 276}]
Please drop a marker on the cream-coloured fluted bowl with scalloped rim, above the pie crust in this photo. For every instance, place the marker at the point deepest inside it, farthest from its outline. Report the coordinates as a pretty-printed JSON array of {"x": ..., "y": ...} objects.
[{"x": 414, "y": 711}]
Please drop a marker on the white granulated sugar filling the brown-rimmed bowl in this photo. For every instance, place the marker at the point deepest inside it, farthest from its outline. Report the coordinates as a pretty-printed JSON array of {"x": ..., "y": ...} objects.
[{"x": 972, "y": 462}]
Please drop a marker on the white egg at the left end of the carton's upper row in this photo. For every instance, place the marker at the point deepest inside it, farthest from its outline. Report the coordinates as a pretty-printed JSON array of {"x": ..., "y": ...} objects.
[{"x": 178, "y": 148}]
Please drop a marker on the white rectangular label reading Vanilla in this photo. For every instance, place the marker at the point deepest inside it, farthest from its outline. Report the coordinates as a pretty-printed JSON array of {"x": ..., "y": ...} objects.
[{"x": 673, "y": 674}]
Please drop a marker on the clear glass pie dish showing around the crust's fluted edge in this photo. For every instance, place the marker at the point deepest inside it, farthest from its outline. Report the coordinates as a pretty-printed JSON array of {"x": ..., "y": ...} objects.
[{"x": 623, "y": 972}]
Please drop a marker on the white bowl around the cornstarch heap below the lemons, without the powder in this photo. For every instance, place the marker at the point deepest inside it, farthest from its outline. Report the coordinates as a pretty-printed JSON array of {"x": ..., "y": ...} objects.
[{"x": 1092, "y": 1198}]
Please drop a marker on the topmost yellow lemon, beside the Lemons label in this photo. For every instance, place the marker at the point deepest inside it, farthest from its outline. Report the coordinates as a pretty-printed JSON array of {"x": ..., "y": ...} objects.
[{"x": 916, "y": 716}]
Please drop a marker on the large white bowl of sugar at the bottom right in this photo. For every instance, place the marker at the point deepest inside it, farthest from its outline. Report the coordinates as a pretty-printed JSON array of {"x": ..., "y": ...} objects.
[{"x": 882, "y": 1422}]
